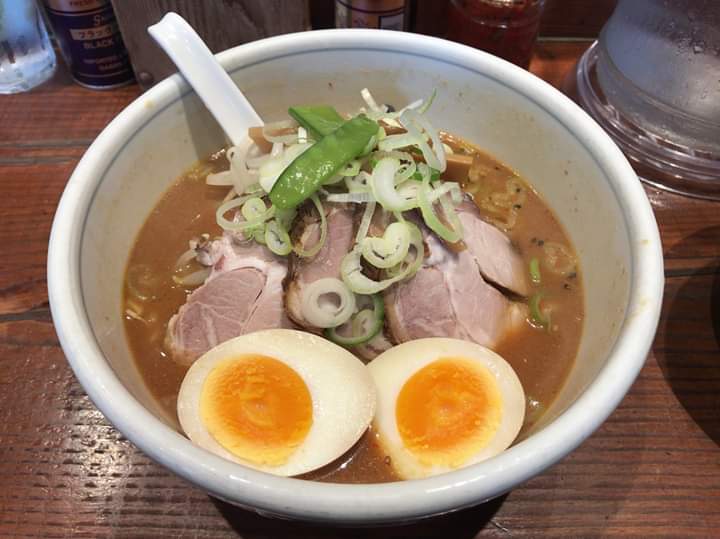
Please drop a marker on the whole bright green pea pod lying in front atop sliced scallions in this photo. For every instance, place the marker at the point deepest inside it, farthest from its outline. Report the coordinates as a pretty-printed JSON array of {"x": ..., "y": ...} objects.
[{"x": 311, "y": 169}]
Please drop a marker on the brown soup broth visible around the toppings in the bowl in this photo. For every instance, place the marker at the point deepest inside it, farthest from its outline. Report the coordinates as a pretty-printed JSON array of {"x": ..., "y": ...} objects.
[{"x": 541, "y": 356}]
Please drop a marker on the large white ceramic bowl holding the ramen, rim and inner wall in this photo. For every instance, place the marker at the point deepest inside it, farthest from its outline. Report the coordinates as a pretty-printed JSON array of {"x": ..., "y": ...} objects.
[{"x": 514, "y": 115}]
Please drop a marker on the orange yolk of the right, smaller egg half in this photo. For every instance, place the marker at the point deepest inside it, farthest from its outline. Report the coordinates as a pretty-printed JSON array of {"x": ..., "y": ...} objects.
[{"x": 448, "y": 411}]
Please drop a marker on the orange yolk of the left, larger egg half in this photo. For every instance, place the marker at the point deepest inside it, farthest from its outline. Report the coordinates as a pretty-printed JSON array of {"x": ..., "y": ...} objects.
[{"x": 256, "y": 407}]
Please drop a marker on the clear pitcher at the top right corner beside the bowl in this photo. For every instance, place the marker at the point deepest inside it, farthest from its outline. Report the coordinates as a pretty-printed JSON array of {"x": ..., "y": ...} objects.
[{"x": 652, "y": 80}]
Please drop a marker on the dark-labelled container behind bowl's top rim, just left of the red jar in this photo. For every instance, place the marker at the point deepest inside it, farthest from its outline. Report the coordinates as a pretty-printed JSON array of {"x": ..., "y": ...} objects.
[{"x": 383, "y": 14}]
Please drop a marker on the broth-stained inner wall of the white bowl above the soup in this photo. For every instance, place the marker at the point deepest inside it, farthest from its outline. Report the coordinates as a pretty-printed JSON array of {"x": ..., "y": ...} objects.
[{"x": 506, "y": 123}]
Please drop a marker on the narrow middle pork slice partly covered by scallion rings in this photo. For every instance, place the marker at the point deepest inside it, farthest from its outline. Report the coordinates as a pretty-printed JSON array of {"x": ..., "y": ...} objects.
[{"x": 326, "y": 263}]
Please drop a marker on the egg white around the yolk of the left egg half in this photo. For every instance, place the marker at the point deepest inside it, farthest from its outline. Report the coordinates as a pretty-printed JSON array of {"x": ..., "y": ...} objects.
[{"x": 342, "y": 391}]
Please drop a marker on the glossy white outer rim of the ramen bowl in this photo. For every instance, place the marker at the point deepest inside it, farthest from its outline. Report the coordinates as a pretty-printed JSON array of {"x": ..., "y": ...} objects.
[{"x": 367, "y": 503}]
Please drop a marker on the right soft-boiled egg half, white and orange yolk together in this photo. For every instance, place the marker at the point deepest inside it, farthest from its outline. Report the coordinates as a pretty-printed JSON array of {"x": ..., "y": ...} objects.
[{"x": 444, "y": 404}]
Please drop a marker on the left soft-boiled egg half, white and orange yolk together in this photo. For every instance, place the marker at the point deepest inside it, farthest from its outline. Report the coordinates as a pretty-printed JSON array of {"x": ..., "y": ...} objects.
[{"x": 281, "y": 401}]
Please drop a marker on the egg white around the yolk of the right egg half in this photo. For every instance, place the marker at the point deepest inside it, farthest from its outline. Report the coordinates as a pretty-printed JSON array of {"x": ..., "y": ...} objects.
[{"x": 392, "y": 369}]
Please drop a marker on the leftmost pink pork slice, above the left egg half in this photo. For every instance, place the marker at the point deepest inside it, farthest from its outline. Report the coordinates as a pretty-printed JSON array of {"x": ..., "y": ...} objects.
[{"x": 242, "y": 294}]
